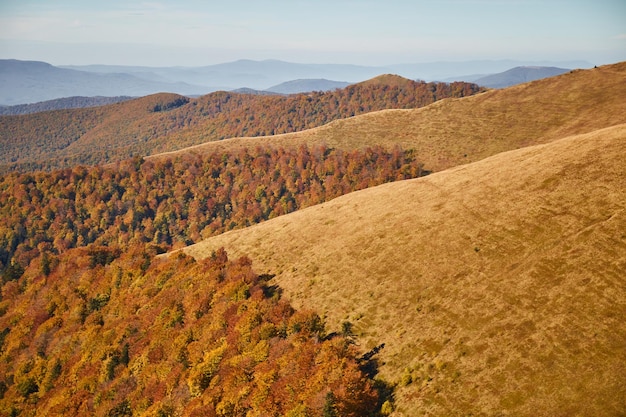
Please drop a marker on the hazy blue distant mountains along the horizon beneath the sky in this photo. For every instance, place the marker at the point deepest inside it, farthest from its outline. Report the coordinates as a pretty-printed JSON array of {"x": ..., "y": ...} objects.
[{"x": 24, "y": 82}]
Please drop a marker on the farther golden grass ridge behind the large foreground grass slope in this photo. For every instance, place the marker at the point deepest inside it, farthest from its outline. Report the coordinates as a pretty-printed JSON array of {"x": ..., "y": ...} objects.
[{"x": 456, "y": 131}]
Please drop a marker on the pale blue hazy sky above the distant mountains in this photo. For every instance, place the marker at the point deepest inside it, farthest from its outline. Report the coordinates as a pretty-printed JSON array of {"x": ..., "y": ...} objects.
[{"x": 363, "y": 32}]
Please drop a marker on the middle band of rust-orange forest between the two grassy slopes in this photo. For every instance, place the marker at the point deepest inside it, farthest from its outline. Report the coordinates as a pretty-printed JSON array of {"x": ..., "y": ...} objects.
[{"x": 173, "y": 203}]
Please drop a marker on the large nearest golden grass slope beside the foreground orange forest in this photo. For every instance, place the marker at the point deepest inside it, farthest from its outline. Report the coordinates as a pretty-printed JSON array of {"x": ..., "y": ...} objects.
[{"x": 498, "y": 287}]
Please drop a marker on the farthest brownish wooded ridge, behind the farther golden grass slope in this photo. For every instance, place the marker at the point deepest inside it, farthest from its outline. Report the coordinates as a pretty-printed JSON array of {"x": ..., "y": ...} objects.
[{"x": 165, "y": 122}]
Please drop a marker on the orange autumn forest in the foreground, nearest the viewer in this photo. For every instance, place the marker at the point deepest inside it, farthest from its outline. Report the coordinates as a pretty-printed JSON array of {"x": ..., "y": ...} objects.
[{"x": 93, "y": 335}]
